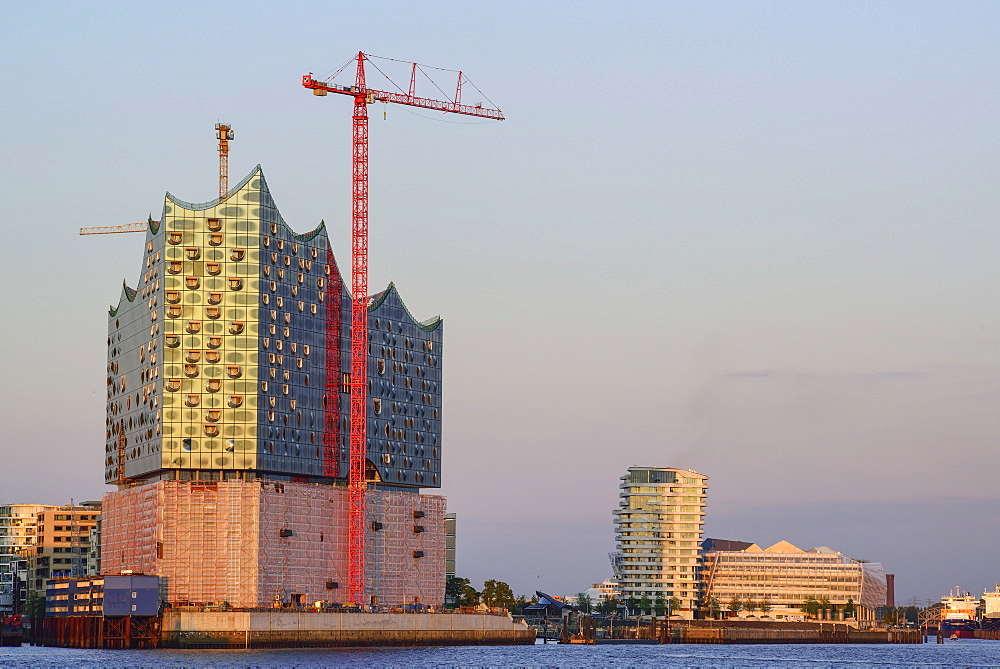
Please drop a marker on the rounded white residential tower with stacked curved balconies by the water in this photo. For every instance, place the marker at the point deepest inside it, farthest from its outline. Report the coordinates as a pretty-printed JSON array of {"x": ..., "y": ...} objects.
[{"x": 658, "y": 529}]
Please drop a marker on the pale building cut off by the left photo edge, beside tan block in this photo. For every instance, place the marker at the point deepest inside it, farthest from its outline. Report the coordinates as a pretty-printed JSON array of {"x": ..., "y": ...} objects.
[{"x": 17, "y": 535}]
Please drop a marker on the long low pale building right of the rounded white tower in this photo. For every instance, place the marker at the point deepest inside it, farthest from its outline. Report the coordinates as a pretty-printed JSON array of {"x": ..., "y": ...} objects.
[{"x": 777, "y": 581}]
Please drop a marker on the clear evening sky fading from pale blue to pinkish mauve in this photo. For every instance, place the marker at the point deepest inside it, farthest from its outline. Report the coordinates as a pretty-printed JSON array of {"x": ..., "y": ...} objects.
[{"x": 753, "y": 239}]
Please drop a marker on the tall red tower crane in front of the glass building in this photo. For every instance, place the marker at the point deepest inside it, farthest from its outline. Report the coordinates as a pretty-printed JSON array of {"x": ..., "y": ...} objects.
[{"x": 364, "y": 96}]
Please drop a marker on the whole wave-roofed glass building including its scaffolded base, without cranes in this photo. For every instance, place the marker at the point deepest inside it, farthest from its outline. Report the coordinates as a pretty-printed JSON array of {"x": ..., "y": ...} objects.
[{"x": 228, "y": 417}]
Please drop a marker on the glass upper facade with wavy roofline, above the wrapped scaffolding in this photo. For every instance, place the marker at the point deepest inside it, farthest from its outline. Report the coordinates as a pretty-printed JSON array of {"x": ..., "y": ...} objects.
[{"x": 217, "y": 360}]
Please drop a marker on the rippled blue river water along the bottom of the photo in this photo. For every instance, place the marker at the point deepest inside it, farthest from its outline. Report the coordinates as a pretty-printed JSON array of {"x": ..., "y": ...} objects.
[{"x": 962, "y": 653}]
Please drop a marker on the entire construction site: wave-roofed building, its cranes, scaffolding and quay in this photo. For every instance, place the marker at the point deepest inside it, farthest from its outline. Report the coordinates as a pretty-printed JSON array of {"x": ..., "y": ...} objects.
[{"x": 272, "y": 427}]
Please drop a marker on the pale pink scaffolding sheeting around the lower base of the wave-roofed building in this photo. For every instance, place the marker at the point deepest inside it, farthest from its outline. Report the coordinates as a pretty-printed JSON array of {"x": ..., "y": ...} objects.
[{"x": 250, "y": 544}]
